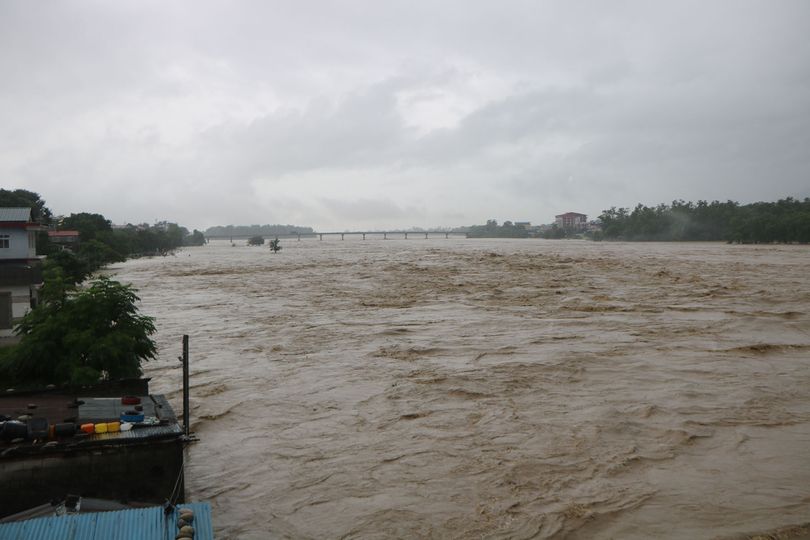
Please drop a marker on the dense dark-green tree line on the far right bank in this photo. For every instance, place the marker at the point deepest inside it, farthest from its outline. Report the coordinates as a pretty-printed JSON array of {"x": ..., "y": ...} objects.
[{"x": 783, "y": 221}]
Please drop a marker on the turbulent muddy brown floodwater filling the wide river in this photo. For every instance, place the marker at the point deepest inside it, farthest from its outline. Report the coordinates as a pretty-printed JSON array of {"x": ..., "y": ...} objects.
[{"x": 453, "y": 388}]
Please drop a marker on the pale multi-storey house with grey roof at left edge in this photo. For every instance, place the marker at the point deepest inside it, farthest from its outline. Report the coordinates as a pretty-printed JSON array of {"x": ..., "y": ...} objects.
[{"x": 20, "y": 268}]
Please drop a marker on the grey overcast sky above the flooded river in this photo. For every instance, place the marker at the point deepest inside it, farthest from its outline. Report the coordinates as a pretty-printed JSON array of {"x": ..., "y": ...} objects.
[{"x": 382, "y": 114}]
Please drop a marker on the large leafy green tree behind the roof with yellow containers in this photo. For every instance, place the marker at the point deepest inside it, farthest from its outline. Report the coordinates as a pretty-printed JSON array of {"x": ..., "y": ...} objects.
[{"x": 81, "y": 337}]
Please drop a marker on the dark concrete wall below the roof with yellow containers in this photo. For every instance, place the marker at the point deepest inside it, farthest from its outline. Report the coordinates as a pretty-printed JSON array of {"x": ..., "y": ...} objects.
[{"x": 130, "y": 473}]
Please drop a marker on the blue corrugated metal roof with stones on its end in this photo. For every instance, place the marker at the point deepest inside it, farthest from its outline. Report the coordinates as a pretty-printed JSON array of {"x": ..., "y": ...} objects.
[{"x": 136, "y": 524}]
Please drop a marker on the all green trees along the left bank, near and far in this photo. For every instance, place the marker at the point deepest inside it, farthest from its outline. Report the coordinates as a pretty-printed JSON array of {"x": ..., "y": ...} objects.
[{"x": 80, "y": 334}]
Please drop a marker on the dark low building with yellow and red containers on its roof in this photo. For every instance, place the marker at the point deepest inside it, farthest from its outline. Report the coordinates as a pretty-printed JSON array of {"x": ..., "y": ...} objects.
[{"x": 112, "y": 442}]
